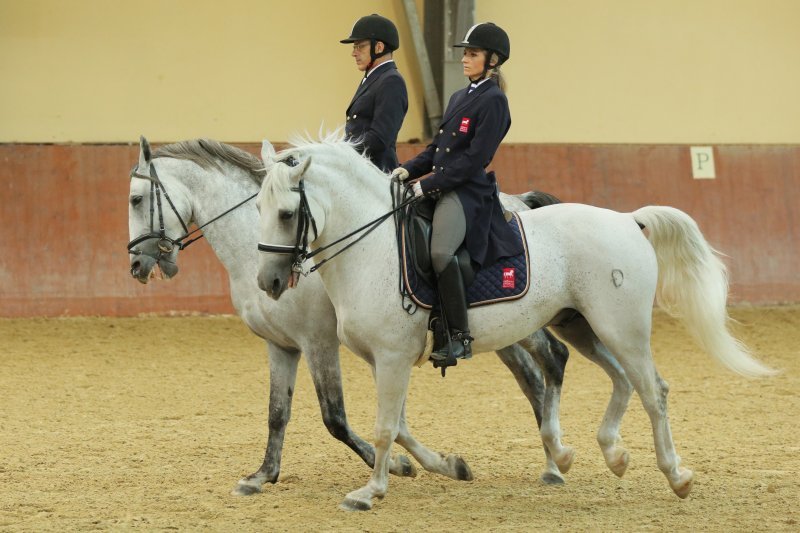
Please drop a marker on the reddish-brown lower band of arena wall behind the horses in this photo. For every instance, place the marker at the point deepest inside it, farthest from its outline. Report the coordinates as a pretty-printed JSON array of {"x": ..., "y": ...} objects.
[{"x": 63, "y": 219}]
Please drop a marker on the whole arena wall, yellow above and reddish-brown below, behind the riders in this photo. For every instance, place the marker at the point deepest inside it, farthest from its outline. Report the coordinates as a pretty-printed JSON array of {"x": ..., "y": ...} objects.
[{"x": 606, "y": 98}]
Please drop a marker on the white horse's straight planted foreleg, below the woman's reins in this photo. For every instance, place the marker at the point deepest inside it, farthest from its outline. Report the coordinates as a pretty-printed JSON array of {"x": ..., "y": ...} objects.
[{"x": 391, "y": 377}]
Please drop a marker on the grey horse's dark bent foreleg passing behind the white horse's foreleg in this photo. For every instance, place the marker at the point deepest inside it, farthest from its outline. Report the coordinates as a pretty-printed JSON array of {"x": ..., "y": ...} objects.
[{"x": 323, "y": 363}]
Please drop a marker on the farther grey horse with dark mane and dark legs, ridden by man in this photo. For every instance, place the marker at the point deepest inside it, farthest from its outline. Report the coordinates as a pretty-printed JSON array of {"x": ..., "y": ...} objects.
[{"x": 197, "y": 181}]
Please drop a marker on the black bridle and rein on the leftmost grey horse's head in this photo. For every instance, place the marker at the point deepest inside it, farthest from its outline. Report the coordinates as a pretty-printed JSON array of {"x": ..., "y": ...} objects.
[{"x": 165, "y": 244}]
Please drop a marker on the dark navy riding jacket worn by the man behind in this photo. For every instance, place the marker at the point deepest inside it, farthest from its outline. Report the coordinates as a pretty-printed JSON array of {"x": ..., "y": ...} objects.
[{"x": 376, "y": 113}]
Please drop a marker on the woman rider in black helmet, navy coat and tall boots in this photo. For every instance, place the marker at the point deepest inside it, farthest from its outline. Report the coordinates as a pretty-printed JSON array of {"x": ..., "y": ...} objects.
[{"x": 468, "y": 208}]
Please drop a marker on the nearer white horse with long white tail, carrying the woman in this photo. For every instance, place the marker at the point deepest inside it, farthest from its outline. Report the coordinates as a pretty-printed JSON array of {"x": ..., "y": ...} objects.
[{"x": 593, "y": 261}]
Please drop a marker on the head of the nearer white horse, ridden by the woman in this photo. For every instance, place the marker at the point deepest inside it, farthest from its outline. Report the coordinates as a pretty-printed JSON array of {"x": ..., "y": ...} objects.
[{"x": 290, "y": 221}]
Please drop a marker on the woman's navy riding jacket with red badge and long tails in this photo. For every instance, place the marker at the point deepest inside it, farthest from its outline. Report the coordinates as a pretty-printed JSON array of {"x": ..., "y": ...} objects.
[{"x": 472, "y": 128}]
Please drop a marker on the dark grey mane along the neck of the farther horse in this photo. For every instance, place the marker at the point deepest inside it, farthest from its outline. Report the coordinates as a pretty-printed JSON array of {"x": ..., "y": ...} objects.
[{"x": 207, "y": 153}]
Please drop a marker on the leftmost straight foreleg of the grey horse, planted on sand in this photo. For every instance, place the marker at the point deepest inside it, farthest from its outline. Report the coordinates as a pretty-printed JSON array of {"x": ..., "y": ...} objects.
[{"x": 282, "y": 376}]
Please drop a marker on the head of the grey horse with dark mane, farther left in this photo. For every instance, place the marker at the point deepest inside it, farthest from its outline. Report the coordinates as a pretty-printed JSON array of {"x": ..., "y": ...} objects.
[{"x": 153, "y": 221}]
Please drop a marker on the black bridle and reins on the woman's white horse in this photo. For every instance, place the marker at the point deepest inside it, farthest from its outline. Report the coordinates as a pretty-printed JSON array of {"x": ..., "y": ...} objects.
[{"x": 300, "y": 252}]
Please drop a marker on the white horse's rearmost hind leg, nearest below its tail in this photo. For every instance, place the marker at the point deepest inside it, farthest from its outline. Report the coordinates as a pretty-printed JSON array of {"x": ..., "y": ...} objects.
[{"x": 631, "y": 343}]
